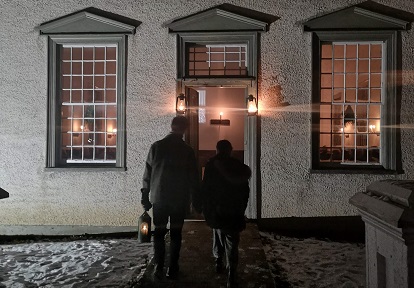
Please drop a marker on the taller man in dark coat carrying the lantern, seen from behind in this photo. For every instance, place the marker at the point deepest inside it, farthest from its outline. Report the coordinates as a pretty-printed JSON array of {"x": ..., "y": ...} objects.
[{"x": 169, "y": 179}]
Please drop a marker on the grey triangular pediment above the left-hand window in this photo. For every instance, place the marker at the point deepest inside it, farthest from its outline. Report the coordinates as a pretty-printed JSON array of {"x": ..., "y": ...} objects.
[{"x": 85, "y": 22}]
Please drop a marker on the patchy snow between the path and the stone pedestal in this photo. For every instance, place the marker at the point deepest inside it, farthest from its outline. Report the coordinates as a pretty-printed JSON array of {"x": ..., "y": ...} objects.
[{"x": 313, "y": 263}]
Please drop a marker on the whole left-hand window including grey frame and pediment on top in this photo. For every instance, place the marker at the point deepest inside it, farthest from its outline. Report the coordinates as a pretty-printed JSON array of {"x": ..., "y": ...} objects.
[{"x": 86, "y": 89}]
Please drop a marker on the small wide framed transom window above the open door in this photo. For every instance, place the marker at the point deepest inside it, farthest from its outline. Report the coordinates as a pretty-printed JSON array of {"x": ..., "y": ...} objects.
[{"x": 217, "y": 55}]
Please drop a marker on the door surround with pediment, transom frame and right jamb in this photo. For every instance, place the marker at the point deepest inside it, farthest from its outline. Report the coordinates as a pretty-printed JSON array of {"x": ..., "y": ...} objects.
[{"x": 227, "y": 24}]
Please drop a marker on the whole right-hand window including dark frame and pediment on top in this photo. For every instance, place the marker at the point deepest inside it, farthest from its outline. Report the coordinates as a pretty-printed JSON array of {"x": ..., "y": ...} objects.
[{"x": 355, "y": 90}]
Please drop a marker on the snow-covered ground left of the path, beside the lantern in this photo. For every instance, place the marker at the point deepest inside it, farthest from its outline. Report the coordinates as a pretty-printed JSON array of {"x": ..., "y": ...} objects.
[{"x": 82, "y": 263}]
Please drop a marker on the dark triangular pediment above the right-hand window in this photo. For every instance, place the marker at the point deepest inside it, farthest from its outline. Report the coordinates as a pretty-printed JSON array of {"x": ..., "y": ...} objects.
[{"x": 356, "y": 18}]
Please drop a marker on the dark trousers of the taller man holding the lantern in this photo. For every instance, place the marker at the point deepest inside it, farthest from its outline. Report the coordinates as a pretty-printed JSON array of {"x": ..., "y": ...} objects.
[{"x": 176, "y": 215}]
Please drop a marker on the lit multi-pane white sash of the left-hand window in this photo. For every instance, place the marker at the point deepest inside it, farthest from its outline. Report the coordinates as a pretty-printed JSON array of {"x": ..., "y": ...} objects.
[{"x": 88, "y": 103}]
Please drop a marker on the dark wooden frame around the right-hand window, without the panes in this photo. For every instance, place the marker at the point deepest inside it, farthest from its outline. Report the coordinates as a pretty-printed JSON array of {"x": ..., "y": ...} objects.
[{"x": 389, "y": 101}]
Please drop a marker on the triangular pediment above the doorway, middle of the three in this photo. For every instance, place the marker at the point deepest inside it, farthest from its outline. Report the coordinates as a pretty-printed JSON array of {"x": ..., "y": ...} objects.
[{"x": 219, "y": 19}]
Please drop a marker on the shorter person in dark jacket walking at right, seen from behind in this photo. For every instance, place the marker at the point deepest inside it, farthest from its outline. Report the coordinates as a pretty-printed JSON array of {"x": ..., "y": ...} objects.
[{"x": 225, "y": 193}]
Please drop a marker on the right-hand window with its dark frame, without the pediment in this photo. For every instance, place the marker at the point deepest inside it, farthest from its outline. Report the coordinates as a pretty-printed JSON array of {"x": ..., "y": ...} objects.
[{"x": 355, "y": 92}]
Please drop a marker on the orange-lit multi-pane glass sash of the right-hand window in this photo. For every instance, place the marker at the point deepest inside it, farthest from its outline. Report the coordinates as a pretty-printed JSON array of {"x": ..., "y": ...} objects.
[{"x": 352, "y": 85}]
